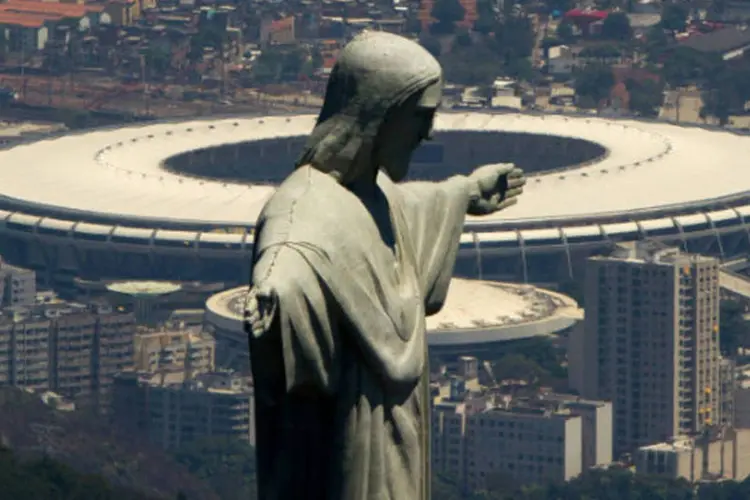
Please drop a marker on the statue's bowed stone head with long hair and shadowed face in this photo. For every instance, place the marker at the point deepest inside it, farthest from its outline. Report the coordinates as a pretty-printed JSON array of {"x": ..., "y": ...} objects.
[{"x": 379, "y": 105}]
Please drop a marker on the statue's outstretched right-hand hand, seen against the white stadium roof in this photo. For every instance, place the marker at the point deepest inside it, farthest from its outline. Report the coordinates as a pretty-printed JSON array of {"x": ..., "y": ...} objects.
[{"x": 497, "y": 188}]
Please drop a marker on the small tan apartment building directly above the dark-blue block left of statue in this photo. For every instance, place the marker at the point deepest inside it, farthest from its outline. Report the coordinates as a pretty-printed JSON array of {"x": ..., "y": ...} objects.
[{"x": 174, "y": 348}]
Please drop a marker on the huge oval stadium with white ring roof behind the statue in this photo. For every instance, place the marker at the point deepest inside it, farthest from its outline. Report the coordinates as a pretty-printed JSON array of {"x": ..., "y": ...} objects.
[{"x": 177, "y": 201}]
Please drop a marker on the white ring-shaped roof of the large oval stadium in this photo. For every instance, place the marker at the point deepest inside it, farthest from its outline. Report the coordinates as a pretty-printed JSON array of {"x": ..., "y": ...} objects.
[{"x": 117, "y": 171}]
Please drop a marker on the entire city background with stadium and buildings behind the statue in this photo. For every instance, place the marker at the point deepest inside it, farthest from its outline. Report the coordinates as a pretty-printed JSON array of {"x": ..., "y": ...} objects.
[{"x": 595, "y": 342}]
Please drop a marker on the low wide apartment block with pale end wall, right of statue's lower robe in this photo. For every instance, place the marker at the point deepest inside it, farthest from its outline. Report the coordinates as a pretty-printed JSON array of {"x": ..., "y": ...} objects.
[{"x": 486, "y": 440}]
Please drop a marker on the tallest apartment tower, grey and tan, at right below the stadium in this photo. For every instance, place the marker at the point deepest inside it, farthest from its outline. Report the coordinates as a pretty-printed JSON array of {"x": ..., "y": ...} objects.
[{"x": 651, "y": 342}]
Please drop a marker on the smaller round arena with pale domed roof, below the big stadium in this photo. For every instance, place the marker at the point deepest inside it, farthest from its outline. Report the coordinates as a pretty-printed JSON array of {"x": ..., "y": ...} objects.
[{"x": 477, "y": 319}]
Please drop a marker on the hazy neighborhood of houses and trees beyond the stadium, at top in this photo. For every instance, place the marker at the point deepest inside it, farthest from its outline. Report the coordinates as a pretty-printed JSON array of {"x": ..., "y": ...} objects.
[{"x": 679, "y": 61}]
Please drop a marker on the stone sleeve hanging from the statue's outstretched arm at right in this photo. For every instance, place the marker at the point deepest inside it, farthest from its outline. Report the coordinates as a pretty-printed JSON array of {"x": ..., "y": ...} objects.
[{"x": 435, "y": 214}]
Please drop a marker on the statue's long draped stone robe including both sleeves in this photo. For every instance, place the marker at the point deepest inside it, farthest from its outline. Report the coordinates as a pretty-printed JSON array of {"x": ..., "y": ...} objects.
[{"x": 341, "y": 377}]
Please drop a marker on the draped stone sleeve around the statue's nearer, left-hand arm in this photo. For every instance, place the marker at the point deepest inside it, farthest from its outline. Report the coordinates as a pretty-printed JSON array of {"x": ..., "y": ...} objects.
[{"x": 302, "y": 334}]
